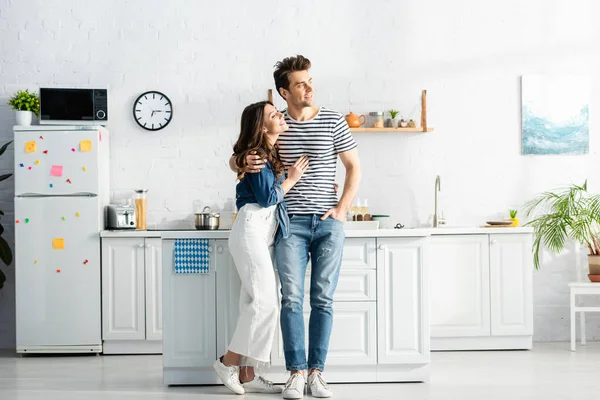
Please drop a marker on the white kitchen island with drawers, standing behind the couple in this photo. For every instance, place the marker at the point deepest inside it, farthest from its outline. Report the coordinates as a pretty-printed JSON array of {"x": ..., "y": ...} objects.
[{"x": 380, "y": 325}]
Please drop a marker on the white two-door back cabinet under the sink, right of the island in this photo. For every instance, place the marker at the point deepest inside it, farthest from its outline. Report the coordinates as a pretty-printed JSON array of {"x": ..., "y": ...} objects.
[{"x": 481, "y": 291}]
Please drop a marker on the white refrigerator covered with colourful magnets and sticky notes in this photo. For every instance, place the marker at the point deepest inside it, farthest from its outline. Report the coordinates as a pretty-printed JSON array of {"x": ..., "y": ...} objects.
[{"x": 61, "y": 190}]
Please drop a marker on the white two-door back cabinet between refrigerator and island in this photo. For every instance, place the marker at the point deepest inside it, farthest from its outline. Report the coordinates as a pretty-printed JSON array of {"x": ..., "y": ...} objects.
[{"x": 132, "y": 295}]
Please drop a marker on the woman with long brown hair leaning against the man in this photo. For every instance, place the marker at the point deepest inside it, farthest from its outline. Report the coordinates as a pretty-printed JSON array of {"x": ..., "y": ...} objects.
[{"x": 260, "y": 209}]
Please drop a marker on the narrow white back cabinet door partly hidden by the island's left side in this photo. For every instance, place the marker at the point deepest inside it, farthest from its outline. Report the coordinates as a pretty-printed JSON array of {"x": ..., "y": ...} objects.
[{"x": 153, "y": 260}]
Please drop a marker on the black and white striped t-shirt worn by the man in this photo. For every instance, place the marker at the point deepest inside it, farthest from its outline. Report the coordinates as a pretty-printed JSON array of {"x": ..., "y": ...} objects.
[{"x": 321, "y": 139}]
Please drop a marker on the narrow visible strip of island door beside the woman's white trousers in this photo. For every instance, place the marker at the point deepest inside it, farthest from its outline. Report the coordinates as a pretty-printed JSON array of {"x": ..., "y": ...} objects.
[{"x": 228, "y": 295}]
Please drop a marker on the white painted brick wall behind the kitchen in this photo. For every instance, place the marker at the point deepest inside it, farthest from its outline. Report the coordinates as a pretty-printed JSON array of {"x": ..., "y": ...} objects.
[{"x": 213, "y": 58}]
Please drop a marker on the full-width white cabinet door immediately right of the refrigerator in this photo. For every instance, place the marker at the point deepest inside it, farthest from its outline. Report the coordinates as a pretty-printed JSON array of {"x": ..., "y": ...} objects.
[{"x": 123, "y": 305}]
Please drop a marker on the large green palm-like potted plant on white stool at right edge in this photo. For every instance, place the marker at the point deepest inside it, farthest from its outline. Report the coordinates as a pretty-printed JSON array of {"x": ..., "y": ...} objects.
[{"x": 570, "y": 213}]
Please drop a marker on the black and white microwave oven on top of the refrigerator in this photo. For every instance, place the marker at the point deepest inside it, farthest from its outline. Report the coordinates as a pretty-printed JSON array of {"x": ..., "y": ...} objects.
[{"x": 60, "y": 106}]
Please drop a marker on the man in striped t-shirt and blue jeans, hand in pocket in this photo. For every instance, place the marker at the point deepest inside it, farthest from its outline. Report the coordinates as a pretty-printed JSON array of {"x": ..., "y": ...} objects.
[{"x": 316, "y": 222}]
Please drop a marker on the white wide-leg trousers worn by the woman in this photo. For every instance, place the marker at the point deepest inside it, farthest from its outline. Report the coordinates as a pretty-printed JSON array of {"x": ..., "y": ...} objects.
[{"x": 251, "y": 246}]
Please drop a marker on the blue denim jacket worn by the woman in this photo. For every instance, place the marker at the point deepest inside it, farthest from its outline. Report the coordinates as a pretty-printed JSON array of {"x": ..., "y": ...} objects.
[{"x": 265, "y": 189}]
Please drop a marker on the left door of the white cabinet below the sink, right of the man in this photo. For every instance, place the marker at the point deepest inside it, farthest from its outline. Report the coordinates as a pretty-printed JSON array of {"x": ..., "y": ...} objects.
[{"x": 459, "y": 285}]
